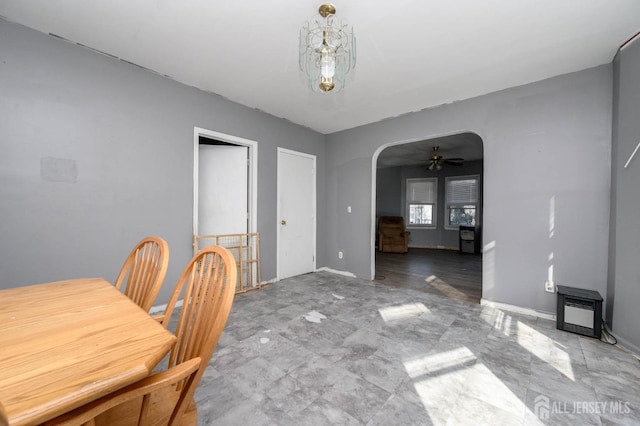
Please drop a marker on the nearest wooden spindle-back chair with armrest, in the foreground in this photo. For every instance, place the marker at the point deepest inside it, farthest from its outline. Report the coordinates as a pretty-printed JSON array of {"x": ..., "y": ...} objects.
[{"x": 207, "y": 286}]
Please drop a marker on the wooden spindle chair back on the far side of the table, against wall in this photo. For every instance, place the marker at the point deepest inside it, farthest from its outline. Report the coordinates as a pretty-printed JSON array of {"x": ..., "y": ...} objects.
[{"x": 143, "y": 271}]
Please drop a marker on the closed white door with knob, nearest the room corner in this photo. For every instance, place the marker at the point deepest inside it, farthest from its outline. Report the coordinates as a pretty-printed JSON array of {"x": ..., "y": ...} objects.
[{"x": 296, "y": 213}]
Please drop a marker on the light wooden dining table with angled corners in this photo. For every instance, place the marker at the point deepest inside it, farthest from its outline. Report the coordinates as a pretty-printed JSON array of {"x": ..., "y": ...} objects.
[{"x": 66, "y": 343}]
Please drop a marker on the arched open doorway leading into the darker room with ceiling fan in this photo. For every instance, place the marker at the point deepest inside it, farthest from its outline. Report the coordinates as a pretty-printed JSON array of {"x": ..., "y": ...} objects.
[{"x": 434, "y": 187}]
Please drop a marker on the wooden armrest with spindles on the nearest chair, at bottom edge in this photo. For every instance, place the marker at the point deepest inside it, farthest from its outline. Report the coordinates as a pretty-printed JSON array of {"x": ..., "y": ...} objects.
[{"x": 151, "y": 401}]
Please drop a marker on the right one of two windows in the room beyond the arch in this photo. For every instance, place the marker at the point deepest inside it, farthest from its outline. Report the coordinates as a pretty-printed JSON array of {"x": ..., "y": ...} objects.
[{"x": 462, "y": 200}]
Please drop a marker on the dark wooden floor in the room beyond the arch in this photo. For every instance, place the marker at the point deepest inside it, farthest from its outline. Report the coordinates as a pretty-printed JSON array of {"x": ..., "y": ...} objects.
[{"x": 444, "y": 272}]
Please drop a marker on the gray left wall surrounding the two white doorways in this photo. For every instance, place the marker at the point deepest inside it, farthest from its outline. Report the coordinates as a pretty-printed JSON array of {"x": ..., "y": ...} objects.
[{"x": 121, "y": 140}]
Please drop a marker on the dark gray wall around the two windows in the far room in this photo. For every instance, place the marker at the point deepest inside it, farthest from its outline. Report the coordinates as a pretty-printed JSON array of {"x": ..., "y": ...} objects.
[{"x": 391, "y": 187}]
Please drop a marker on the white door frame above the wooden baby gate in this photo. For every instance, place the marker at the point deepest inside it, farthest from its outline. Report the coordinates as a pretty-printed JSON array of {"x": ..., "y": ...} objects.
[{"x": 252, "y": 168}]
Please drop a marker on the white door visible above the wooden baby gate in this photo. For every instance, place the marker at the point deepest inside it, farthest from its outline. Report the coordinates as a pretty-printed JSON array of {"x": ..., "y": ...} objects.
[{"x": 222, "y": 189}]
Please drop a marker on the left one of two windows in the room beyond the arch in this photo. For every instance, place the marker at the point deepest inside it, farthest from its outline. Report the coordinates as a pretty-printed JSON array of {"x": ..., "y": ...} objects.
[{"x": 422, "y": 197}]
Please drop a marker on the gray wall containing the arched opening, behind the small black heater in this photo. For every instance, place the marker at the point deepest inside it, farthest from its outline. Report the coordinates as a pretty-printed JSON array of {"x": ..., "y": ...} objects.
[{"x": 547, "y": 148}]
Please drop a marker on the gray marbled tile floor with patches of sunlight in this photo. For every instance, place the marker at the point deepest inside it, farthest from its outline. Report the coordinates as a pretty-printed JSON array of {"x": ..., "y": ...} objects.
[{"x": 324, "y": 349}]
